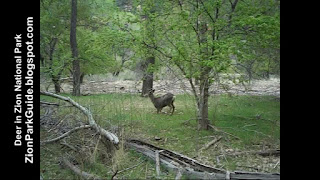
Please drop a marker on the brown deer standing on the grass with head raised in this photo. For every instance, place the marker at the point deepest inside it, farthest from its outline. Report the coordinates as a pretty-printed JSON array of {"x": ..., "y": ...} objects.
[{"x": 163, "y": 101}]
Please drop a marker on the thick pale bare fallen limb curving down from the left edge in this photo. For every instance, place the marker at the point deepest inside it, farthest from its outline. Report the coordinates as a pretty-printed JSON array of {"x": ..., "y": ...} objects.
[{"x": 108, "y": 135}]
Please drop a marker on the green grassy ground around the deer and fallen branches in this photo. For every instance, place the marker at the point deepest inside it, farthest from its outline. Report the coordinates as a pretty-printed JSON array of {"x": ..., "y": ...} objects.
[{"x": 255, "y": 120}]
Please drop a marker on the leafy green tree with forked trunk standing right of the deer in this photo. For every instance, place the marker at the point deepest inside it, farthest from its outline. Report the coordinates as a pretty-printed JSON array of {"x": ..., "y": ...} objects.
[{"x": 199, "y": 37}]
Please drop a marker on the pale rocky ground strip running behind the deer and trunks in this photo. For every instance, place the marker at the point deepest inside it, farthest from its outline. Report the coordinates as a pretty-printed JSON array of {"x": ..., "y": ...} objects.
[{"x": 177, "y": 86}]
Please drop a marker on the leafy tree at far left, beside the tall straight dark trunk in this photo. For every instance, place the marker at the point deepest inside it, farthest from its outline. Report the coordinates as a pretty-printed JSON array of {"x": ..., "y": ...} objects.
[{"x": 53, "y": 40}]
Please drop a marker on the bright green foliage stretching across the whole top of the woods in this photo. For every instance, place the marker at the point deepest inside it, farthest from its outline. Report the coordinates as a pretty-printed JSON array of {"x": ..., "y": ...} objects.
[{"x": 165, "y": 28}]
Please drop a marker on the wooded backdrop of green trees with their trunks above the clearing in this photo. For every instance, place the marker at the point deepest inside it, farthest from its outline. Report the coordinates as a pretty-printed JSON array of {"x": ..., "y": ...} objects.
[{"x": 202, "y": 39}]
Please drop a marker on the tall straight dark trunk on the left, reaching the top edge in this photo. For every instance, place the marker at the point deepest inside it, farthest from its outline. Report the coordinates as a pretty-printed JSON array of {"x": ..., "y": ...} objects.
[{"x": 74, "y": 50}]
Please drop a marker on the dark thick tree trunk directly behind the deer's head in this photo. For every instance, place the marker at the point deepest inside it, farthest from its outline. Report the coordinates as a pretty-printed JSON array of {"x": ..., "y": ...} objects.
[{"x": 148, "y": 77}]
